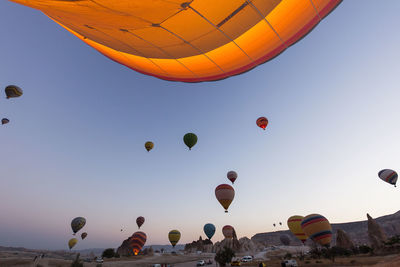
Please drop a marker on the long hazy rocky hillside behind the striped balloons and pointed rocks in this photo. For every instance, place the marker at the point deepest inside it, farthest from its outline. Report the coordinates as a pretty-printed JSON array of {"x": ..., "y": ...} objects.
[{"x": 357, "y": 231}]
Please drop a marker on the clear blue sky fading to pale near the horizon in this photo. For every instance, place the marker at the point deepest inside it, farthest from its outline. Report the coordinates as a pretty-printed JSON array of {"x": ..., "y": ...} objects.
[{"x": 75, "y": 143}]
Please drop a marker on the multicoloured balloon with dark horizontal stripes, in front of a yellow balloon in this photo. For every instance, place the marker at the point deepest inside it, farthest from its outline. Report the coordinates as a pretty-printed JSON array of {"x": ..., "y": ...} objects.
[{"x": 318, "y": 228}]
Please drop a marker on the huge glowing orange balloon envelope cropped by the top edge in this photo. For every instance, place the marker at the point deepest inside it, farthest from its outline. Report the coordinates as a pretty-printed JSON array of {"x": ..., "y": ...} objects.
[{"x": 188, "y": 41}]
